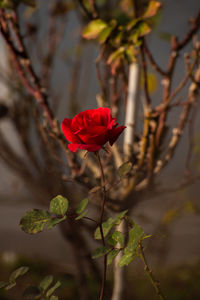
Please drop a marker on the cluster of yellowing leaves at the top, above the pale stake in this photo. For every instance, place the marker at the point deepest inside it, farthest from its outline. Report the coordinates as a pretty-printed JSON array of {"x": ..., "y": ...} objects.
[{"x": 124, "y": 38}]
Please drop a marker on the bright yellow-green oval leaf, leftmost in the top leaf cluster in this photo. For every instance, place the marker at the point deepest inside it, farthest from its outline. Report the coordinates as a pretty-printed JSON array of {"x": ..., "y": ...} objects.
[{"x": 93, "y": 29}]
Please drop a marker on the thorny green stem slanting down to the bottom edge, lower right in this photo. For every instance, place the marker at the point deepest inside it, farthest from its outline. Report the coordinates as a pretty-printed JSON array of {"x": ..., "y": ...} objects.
[{"x": 148, "y": 271}]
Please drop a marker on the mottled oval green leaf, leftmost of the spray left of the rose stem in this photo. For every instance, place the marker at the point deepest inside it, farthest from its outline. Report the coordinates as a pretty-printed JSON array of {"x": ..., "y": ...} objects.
[{"x": 34, "y": 221}]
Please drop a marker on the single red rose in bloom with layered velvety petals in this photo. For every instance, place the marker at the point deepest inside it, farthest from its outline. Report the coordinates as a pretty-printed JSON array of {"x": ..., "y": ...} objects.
[{"x": 91, "y": 129}]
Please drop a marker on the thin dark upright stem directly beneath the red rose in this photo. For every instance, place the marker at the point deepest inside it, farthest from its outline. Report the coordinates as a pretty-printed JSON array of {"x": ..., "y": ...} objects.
[{"x": 100, "y": 223}]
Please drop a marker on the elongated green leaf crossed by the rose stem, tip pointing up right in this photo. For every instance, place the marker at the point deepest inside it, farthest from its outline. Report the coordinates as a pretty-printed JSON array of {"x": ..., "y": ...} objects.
[{"x": 108, "y": 225}]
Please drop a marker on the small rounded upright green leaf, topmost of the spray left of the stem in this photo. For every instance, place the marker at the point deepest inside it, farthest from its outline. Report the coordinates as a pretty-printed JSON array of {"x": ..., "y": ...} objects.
[{"x": 58, "y": 205}]
